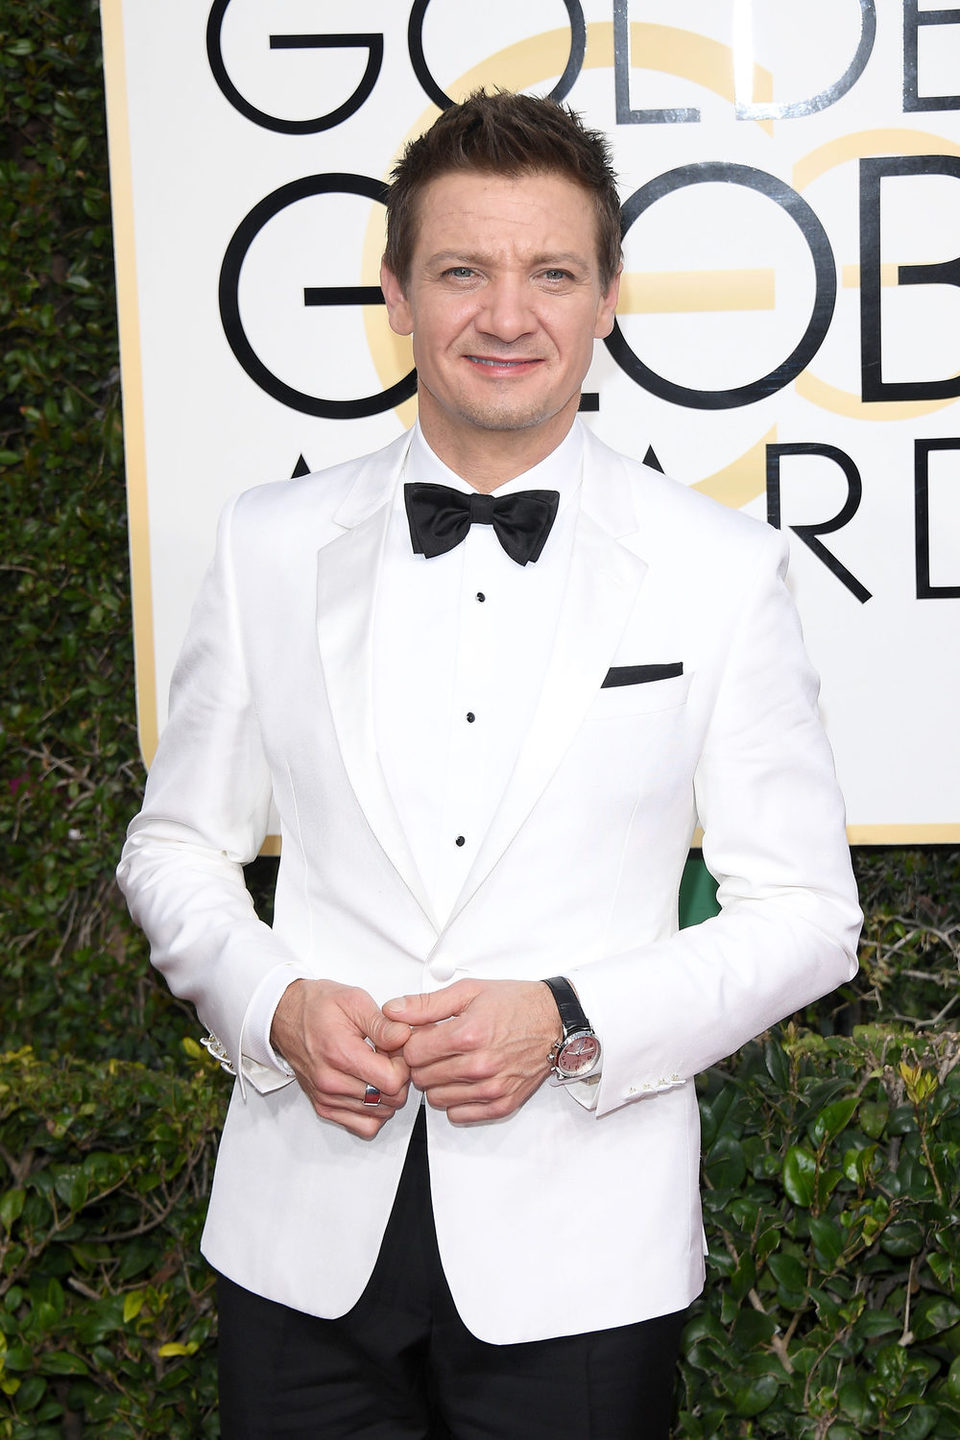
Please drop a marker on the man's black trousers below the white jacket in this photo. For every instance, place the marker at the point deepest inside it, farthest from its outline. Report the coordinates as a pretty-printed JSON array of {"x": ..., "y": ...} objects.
[{"x": 402, "y": 1366}]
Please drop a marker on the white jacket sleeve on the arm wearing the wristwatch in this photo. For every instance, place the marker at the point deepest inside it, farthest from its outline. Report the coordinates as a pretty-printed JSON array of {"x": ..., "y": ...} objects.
[{"x": 775, "y": 839}]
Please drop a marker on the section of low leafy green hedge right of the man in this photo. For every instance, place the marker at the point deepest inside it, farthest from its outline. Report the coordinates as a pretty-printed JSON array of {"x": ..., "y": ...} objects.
[{"x": 833, "y": 1187}]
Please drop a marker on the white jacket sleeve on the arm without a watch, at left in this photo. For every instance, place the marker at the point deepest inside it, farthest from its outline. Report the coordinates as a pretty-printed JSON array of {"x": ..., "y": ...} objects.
[{"x": 205, "y": 816}]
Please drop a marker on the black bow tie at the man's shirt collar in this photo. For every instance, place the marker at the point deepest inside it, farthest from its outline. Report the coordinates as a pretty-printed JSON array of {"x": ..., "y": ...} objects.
[{"x": 440, "y": 519}]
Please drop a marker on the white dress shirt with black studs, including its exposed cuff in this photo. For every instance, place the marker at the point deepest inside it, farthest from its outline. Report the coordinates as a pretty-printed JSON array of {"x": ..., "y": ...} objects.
[{"x": 461, "y": 649}]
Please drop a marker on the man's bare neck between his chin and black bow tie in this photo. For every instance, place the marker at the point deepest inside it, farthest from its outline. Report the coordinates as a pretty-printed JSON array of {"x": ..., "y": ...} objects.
[{"x": 487, "y": 460}]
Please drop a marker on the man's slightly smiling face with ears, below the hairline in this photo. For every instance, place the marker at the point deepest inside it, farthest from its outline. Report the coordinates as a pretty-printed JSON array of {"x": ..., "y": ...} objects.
[{"x": 504, "y": 302}]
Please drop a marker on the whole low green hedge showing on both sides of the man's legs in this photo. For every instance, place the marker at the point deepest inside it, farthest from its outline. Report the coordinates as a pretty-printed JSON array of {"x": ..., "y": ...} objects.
[{"x": 833, "y": 1187}]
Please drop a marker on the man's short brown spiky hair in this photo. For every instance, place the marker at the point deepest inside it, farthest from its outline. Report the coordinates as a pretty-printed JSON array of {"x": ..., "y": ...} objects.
[{"x": 512, "y": 136}]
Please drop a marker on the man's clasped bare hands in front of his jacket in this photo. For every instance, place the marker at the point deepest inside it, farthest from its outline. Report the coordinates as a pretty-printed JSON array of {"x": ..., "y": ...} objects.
[{"x": 477, "y": 1049}]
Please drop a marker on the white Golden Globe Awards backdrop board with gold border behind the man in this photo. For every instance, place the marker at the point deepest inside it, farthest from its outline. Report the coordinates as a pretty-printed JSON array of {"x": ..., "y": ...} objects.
[{"x": 789, "y": 335}]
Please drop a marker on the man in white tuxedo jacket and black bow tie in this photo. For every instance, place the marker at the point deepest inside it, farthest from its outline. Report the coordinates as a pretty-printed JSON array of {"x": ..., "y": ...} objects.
[{"x": 454, "y": 1200}]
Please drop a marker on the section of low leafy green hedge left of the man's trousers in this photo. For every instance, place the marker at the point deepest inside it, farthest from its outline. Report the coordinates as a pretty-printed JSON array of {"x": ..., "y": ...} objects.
[{"x": 107, "y": 1311}]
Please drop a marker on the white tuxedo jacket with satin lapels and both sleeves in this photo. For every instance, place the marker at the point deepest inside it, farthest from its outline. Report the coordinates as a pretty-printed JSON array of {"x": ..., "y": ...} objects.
[{"x": 559, "y": 1219}]
